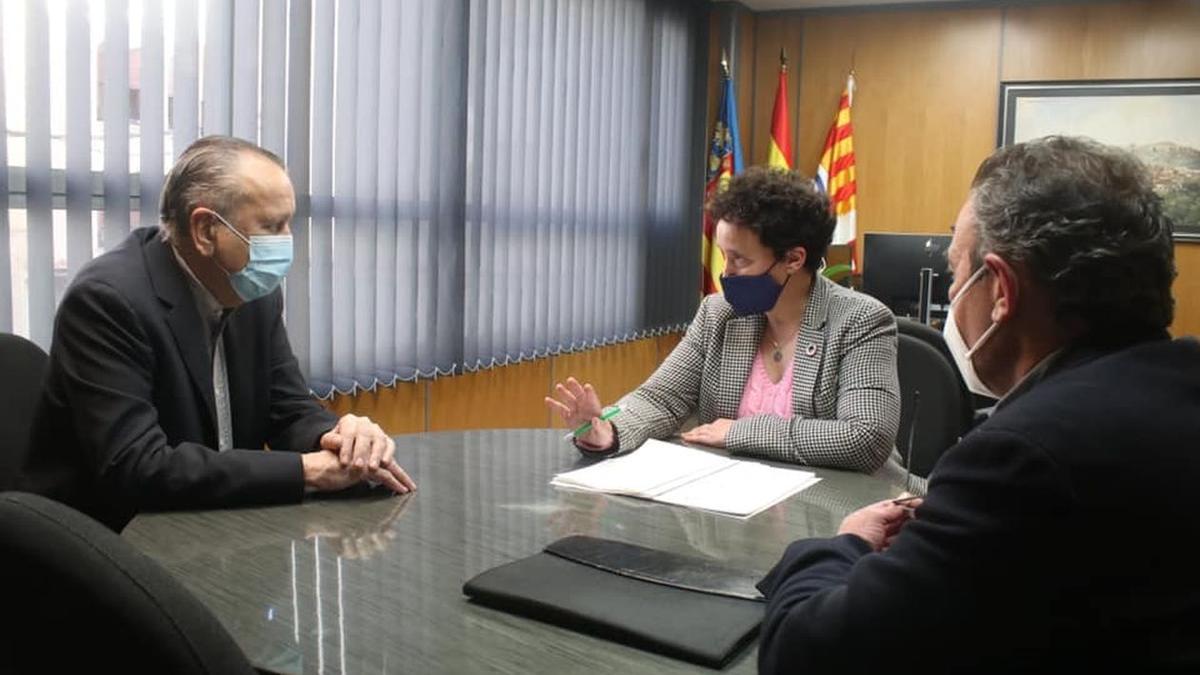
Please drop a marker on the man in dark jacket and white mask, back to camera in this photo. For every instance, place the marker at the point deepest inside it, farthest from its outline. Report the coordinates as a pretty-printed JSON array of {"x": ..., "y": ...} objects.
[{"x": 1052, "y": 536}]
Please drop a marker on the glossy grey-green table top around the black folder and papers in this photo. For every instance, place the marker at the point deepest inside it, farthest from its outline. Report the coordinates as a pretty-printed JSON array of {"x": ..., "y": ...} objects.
[{"x": 373, "y": 583}]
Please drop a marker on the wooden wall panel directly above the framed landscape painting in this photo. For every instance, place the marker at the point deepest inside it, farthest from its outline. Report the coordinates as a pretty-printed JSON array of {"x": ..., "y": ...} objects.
[{"x": 1127, "y": 40}]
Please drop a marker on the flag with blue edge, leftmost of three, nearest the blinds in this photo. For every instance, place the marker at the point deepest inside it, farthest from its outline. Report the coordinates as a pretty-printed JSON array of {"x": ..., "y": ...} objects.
[{"x": 724, "y": 160}]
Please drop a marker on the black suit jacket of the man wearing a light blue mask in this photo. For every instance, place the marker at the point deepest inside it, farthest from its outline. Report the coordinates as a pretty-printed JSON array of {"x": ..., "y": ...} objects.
[{"x": 128, "y": 422}]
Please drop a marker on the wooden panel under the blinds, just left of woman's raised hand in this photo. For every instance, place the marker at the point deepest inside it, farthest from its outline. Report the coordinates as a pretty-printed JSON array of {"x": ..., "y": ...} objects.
[{"x": 501, "y": 398}]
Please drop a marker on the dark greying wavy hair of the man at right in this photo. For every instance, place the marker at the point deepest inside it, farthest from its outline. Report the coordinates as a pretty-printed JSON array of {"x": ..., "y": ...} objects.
[{"x": 1084, "y": 219}]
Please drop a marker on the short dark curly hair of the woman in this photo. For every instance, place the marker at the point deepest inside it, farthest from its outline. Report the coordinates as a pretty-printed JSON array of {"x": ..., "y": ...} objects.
[{"x": 782, "y": 207}]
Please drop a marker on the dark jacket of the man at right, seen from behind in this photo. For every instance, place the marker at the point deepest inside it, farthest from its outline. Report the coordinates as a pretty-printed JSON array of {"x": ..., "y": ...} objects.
[{"x": 1053, "y": 539}]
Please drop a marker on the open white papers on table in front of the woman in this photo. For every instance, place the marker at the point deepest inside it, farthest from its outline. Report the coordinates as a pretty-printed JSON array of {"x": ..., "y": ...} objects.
[{"x": 692, "y": 479}]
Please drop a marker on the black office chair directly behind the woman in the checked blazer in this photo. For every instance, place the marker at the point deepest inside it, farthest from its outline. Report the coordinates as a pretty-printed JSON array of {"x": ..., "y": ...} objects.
[{"x": 935, "y": 405}]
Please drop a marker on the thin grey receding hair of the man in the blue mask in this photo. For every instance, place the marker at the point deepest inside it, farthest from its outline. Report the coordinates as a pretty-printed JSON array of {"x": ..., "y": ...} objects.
[{"x": 205, "y": 177}]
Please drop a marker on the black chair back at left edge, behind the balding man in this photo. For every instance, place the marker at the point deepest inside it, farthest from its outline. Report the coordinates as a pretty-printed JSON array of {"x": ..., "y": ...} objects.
[{"x": 25, "y": 366}]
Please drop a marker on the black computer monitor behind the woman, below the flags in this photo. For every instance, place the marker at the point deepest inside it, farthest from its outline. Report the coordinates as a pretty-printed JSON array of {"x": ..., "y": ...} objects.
[{"x": 892, "y": 266}]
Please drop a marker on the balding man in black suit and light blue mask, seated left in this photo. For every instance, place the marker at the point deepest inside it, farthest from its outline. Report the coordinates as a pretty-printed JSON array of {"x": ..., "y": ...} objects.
[{"x": 171, "y": 368}]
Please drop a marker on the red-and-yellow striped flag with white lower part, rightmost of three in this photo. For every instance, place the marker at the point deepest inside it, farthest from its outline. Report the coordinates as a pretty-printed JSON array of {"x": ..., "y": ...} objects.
[{"x": 836, "y": 172}]
